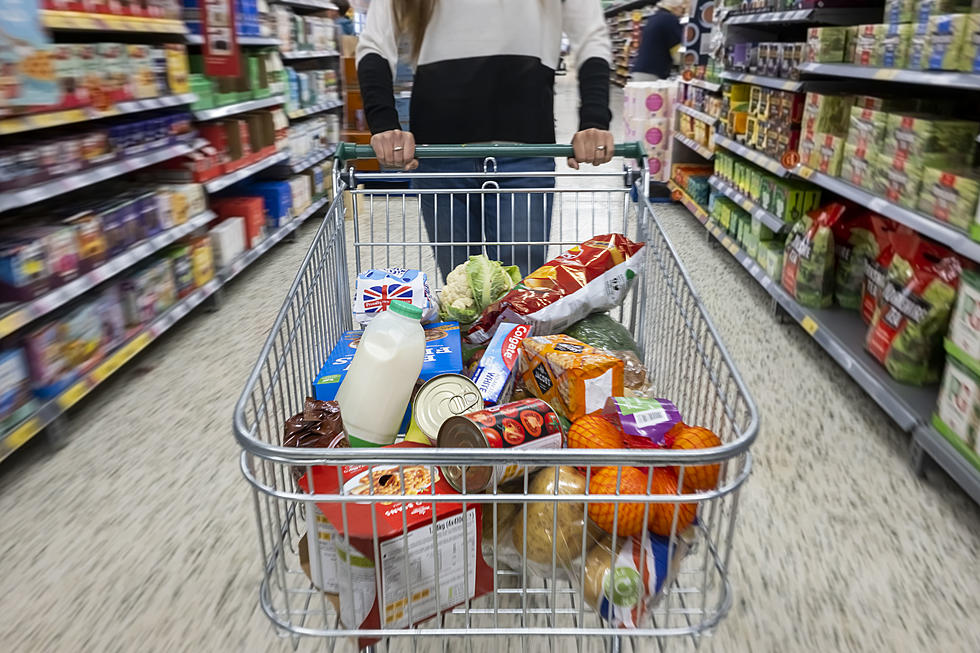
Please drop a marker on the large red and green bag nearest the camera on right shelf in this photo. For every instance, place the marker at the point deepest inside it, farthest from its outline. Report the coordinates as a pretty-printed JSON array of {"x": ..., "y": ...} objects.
[{"x": 907, "y": 329}]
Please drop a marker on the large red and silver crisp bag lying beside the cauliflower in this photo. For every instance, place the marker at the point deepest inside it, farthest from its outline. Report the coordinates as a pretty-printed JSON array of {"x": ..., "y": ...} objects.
[{"x": 593, "y": 277}]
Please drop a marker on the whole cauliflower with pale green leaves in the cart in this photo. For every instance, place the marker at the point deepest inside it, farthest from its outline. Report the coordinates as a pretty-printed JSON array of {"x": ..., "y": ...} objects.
[{"x": 474, "y": 285}]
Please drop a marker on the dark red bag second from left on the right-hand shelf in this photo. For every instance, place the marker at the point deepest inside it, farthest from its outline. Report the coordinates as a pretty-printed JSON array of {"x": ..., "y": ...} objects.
[{"x": 854, "y": 245}]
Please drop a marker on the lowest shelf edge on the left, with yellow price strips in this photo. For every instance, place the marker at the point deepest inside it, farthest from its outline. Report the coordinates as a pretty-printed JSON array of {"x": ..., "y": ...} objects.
[{"x": 51, "y": 410}]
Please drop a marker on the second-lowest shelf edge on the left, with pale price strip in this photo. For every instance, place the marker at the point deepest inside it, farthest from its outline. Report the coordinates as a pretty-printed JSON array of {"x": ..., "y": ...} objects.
[{"x": 23, "y": 314}]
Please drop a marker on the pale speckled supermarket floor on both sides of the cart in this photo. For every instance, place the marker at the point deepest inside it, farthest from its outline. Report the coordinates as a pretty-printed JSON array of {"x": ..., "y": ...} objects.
[{"x": 139, "y": 535}]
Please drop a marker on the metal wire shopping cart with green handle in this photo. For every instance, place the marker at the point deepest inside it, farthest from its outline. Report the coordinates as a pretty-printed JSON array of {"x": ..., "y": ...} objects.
[{"x": 685, "y": 360}]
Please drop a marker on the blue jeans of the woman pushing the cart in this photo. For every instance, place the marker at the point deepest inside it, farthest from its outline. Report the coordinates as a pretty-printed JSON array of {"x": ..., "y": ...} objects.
[{"x": 507, "y": 217}]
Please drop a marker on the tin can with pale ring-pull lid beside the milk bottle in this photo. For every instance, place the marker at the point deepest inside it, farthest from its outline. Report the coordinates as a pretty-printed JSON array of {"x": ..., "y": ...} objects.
[{"x": 440, "y": 398}]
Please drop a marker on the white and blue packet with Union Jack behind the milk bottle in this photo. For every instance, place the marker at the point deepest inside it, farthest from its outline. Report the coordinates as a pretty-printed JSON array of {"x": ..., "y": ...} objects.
[{"x": 375, "y": 290}]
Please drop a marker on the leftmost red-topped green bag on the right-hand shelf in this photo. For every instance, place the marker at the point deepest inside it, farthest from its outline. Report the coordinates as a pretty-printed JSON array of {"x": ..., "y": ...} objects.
[{"x": 808, "y": 268}]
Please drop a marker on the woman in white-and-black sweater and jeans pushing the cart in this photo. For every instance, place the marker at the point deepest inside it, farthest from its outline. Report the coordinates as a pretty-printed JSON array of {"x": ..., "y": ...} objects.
[{"x": 485, "y": 73}]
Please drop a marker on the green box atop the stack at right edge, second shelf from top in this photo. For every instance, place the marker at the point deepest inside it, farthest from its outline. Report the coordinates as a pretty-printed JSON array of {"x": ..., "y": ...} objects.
[{"x": 934, "y": 142}]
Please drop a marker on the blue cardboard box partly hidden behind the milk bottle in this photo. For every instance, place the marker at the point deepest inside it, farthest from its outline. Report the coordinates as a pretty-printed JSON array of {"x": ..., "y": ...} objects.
[{"x": 443, "y": 355}]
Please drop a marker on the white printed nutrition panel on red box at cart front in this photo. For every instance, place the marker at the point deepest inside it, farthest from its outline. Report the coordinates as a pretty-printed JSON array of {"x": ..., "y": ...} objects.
[{"x": 421, "y": 566}]
